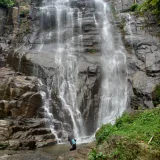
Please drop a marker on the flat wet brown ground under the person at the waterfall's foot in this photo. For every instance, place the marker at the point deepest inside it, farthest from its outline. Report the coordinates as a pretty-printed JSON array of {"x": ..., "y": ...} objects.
[{"x": 57, "y": 152}]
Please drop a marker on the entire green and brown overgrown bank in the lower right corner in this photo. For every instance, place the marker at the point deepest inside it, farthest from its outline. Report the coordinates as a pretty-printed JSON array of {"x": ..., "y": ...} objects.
[{"x": 133, "y": 136}]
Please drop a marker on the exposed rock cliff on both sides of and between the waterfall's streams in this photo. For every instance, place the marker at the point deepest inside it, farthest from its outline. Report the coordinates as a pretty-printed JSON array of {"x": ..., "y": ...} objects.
[{"x": 23, "y": 122}]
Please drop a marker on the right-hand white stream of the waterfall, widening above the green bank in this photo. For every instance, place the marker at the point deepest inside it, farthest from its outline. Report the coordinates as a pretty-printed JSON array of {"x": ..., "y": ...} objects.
[{"x": 114, "y": 83}]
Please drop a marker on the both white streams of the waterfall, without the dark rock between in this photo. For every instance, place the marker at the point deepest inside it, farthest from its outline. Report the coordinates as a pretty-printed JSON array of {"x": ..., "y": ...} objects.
[{"x": 60, "y": 32}]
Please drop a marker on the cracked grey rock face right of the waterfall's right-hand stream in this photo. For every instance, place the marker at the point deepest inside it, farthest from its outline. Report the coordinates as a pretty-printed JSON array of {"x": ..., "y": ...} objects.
[{"x": 143, "y": 58}]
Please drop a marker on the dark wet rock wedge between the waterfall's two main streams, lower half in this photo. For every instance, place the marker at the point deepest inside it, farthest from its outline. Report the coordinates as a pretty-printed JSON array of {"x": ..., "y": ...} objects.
[{"x": 88, "y": 93}]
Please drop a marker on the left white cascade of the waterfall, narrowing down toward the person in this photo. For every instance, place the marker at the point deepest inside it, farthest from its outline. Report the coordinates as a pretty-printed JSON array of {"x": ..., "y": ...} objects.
[{"x": 65, "y": 58}]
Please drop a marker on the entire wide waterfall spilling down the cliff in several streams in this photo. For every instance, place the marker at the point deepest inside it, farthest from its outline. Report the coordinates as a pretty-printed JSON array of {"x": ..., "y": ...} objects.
[{"x": 65, "y": 39}]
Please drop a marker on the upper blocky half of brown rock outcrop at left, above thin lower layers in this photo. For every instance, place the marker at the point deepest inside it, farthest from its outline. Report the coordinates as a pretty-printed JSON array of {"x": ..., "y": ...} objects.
[{"x": 19, "y": 95}]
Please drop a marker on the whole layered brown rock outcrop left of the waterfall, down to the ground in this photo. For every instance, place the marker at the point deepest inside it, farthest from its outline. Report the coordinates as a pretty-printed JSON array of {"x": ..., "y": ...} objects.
[{"x": 20, "y": 104}]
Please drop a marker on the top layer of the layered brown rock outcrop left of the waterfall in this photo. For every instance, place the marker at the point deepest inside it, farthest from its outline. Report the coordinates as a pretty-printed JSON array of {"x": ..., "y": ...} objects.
[{"x": 16, "y": 86}]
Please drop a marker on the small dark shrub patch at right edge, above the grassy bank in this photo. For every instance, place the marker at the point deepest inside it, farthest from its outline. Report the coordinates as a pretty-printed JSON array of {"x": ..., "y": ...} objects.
[{"x": 156, "y": 95}]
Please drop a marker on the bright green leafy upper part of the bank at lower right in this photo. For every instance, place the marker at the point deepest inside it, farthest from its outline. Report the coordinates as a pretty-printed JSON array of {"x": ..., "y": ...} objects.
[{"x": 139, "y": 127}]
